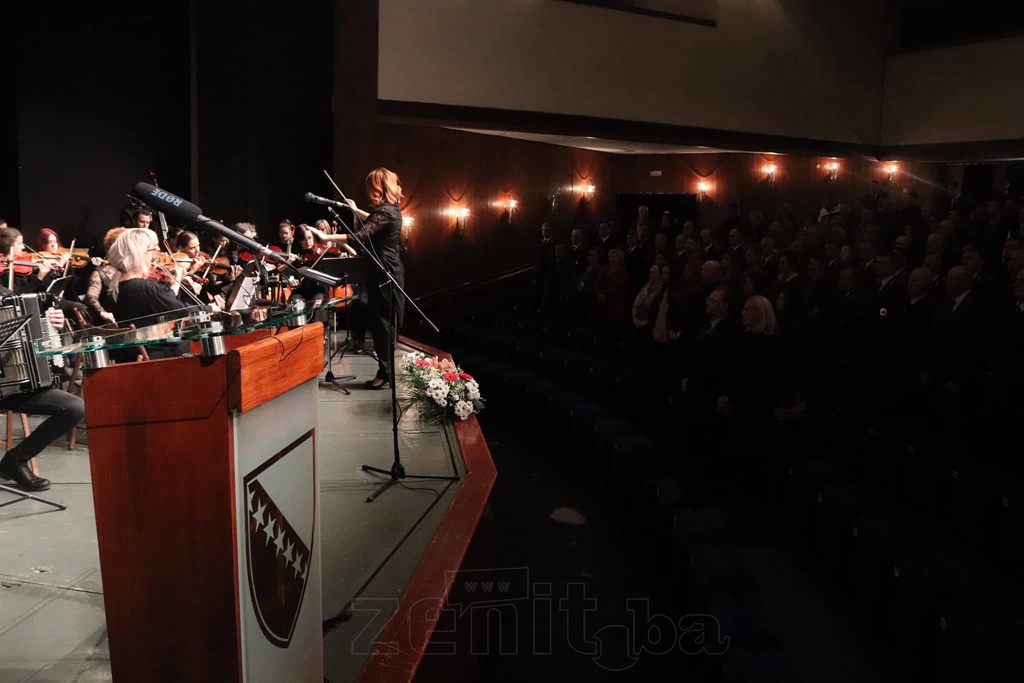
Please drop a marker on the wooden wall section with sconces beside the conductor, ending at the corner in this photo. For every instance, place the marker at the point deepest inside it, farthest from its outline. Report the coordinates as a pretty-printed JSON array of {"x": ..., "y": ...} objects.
[{"x": 445, "y": 170}]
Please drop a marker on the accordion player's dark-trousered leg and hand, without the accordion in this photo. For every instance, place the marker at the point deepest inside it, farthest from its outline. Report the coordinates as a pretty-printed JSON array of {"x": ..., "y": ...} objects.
[{"x": 65, "y": 411}]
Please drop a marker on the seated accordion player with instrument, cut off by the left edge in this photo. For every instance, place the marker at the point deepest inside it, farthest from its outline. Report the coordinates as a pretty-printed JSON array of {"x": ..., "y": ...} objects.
[{"x": 27, "y": 387}]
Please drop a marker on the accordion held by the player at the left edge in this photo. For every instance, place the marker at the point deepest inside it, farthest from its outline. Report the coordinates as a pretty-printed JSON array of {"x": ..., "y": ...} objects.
[{"x": 21, "y": 370}]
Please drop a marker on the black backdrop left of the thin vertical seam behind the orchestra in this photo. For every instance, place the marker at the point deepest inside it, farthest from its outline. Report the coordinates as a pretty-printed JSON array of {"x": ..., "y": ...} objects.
[{"x": 101, "y": 99}]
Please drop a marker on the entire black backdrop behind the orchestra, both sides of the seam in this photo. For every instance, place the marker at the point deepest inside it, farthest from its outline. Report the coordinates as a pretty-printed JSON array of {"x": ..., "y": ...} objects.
[{"x": 102, "y": 98}]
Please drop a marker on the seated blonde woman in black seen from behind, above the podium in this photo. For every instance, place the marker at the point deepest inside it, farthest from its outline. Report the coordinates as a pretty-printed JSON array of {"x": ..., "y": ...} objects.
[{"x": 136, "y": 294}]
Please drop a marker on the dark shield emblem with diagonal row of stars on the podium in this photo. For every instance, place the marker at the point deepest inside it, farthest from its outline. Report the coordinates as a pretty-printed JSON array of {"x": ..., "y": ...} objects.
[{"x": 280, "y": 500}]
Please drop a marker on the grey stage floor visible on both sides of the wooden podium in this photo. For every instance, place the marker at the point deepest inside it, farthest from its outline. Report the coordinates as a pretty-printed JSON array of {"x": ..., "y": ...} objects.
[{"x": 52, "y": 606}]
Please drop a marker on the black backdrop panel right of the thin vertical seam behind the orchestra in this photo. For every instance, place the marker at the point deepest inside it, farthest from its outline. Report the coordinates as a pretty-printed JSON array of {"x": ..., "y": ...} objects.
[{"x": 264, "y": 109}]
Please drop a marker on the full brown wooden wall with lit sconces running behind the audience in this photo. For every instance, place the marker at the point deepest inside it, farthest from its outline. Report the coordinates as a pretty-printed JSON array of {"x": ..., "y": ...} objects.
[{"x": 445, "y": 170}]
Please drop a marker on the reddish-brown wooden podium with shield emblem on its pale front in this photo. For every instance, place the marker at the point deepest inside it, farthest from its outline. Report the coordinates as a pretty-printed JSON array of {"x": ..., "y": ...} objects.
[{"x": 205, "y": 483}]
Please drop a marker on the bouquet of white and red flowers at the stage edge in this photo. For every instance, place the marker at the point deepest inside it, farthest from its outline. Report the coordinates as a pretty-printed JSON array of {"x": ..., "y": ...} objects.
[{"x": 439, "y": 389}]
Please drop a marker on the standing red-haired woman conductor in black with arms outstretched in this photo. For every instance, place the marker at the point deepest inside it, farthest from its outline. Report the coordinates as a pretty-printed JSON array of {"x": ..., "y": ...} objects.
[{"x": 381, "y": 232}]
